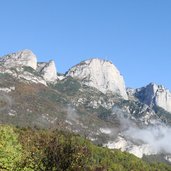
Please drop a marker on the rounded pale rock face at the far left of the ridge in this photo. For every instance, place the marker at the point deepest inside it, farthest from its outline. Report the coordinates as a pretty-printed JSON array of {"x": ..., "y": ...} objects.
[{"x": 21, "y": 58}]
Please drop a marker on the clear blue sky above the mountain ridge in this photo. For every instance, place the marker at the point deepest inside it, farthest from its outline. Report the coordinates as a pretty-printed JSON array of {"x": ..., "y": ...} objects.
[{"x": 134, "y": 34}]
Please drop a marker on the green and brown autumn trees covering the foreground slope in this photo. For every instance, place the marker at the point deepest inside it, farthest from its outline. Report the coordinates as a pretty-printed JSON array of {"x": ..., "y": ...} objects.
[{"x": 26, "y": 149}]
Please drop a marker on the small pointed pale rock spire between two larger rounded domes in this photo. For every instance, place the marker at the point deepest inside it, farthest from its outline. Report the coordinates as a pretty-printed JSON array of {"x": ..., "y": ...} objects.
[{"x": 48, "y": 71}]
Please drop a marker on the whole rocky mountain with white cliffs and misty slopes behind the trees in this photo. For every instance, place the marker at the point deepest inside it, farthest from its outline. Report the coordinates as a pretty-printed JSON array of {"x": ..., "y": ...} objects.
[{"x": 90, "y": 99}]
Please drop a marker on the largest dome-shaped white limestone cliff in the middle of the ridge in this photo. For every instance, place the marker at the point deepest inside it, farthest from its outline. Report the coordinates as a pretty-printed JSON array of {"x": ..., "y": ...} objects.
[{"x": 100, "y": 74}]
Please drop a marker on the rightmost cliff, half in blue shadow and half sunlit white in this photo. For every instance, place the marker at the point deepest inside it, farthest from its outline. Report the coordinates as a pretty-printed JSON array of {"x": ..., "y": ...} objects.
[{"x": 155, "y": 95}]
